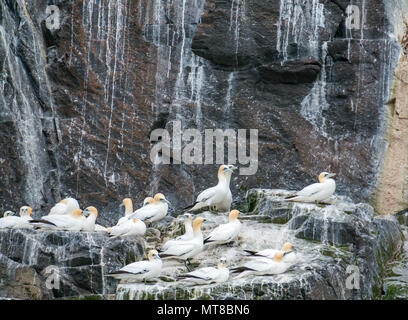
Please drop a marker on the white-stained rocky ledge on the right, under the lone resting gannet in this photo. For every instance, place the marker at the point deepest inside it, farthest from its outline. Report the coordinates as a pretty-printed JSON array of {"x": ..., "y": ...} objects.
[{"x": 333, "y": 242}]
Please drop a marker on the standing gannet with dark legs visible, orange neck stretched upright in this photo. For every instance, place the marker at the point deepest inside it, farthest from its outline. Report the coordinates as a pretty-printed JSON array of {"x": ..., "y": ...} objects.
[{"x": 184, "y": 250}]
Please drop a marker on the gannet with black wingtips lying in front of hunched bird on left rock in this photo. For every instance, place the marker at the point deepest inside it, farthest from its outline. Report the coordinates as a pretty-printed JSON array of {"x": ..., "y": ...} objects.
[{"x": 72, "y": 222}]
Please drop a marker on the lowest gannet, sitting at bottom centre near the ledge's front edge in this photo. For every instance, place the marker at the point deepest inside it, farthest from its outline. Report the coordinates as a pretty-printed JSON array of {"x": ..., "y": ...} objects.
[{"x": 209, "y": 274}]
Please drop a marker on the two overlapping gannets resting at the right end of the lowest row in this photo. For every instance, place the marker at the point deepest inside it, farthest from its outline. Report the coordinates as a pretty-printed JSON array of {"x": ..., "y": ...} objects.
[{"x": 267, "y": 262}]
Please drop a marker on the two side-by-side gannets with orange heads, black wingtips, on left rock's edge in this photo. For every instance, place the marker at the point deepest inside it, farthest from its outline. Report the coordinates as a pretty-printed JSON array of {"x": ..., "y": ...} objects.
[{"x": 74, "y": 221}]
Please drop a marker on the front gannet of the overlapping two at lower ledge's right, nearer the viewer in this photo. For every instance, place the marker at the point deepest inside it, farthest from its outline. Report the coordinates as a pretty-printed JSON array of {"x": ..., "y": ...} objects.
[{"x": 264, "y": 266}]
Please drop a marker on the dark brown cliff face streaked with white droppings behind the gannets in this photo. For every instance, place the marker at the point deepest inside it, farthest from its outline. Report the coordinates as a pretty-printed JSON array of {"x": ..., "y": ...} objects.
[{"x": 78, "y": 103}]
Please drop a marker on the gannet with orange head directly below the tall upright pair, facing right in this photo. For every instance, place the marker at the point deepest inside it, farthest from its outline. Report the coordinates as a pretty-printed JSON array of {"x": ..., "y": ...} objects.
[{"x": 227, "y": 232}]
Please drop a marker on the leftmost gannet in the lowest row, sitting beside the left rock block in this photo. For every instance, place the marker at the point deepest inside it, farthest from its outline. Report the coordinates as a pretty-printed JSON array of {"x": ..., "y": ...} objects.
[{"x": 141, "y": 270}]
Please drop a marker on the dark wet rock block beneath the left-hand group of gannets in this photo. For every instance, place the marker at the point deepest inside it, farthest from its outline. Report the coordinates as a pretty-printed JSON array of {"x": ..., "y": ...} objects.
[{"x": 76, "y": 262}]
